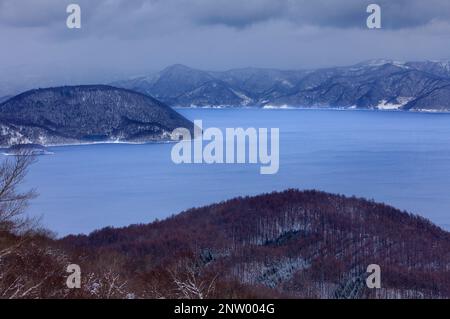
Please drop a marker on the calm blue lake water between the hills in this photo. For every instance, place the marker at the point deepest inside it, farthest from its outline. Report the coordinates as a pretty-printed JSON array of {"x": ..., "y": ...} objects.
[{"x": 402, "y": 159}]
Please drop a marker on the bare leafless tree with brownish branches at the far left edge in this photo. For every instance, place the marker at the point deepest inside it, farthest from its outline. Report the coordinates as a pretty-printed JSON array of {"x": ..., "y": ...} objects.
[{"x": 26, "y": 269}]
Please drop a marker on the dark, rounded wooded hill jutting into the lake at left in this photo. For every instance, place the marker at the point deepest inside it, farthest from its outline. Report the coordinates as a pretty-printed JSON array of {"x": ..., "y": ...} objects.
[{"x": 84, "y": 114}]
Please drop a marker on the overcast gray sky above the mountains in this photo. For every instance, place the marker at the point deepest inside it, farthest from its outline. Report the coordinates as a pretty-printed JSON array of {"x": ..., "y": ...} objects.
[{"x": 133, "y": 37}]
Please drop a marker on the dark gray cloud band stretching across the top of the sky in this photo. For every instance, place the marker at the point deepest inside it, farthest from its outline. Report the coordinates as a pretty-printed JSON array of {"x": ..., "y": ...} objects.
[{"x": 231, "y": 13}]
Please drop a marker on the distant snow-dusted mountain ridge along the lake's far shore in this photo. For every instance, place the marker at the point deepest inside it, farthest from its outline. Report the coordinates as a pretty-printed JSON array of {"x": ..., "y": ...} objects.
[{"x": 375, "y": 84}]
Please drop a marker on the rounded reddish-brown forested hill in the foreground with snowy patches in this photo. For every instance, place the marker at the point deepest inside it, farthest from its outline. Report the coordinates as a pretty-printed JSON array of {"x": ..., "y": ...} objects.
[{"x": 291, "y": 244}]
